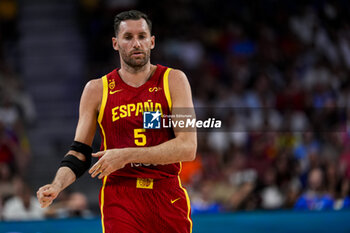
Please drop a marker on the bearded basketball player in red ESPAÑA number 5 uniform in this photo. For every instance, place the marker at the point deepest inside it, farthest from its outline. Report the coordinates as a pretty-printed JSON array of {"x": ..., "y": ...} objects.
[{"x": 141, "y": 189}]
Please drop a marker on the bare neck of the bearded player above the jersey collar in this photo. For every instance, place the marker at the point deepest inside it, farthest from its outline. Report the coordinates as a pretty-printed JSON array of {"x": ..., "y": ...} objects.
[{"x": 136, "y": 77}]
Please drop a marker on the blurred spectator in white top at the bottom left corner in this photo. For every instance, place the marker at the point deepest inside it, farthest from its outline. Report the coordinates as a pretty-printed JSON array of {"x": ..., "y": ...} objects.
[{"x": 23, "y": 206}]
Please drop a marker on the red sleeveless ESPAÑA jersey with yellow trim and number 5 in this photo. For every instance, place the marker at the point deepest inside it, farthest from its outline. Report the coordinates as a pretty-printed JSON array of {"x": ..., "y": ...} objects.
[{"x": 121, "y": 120}]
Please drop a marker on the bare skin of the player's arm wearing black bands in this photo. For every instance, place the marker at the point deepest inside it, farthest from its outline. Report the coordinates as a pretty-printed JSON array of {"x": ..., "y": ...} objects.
[{"x": 85, "y": 132}]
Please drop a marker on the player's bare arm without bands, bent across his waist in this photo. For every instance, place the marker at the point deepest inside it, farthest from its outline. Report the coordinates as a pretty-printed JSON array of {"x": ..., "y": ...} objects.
[{"x": 181, "y": 148}]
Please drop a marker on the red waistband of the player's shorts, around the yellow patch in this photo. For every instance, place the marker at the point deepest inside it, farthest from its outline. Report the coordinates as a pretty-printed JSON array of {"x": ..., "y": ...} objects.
[{"x": 132, "y": 181}]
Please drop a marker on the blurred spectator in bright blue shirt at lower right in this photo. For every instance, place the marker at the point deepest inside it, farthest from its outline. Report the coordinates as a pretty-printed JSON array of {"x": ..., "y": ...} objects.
[{"x": 315, "y": 197}]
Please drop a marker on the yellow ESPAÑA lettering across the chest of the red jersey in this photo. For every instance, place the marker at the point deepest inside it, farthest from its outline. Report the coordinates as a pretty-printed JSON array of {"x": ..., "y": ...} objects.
[{"x": 128, "y": 110}]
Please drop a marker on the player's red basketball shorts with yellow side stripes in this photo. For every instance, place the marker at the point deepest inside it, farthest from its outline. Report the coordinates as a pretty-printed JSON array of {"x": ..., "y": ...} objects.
[{"x": 130, "y": 205}]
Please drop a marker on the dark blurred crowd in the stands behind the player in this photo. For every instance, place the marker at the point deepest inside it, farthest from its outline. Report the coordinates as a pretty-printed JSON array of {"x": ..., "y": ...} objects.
[{"x": 290, "y": 60}]
